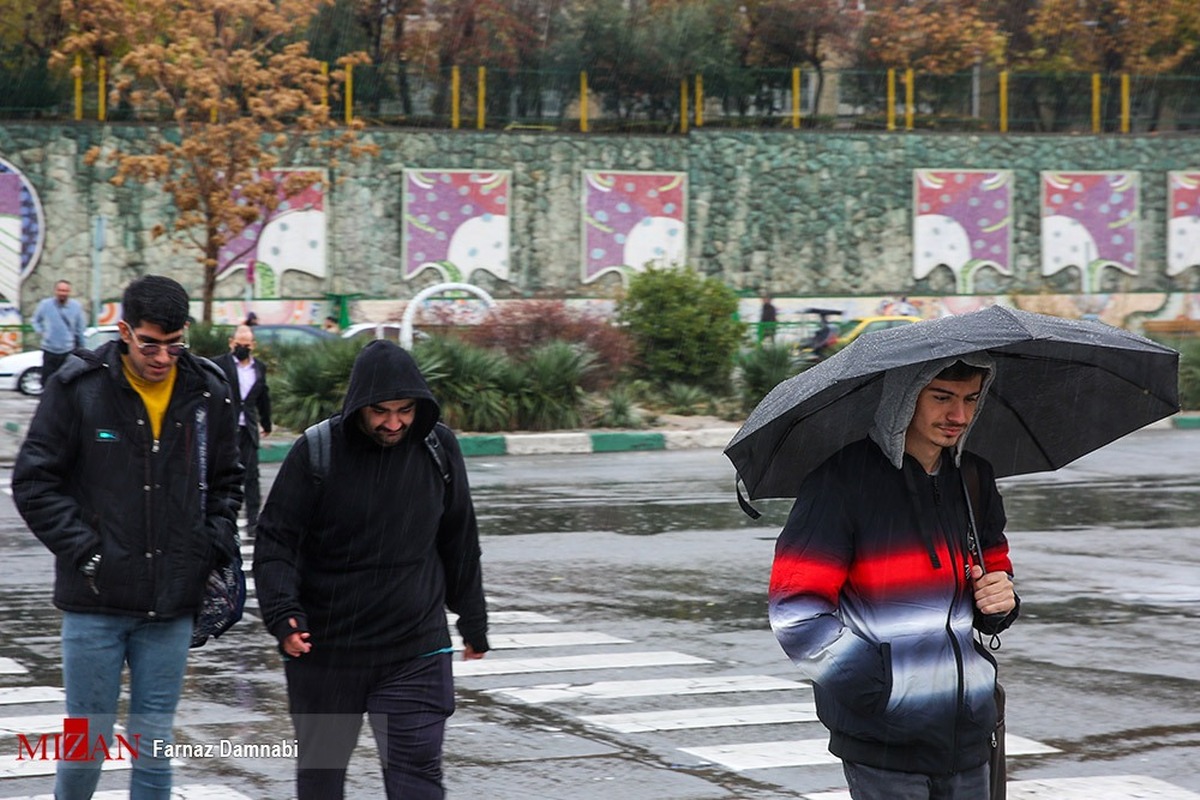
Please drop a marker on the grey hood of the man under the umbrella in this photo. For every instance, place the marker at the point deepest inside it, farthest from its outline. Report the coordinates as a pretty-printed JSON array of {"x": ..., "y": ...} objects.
[{"x": 902, "y": 387}]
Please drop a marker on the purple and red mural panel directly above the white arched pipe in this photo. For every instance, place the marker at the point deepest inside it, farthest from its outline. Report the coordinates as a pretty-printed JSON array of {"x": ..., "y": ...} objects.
[{"x": 457, "y": 221}]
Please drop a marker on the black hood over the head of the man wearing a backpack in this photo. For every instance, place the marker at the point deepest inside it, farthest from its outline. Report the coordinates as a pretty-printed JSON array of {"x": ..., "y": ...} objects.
[{"x": 385, "y": 372}]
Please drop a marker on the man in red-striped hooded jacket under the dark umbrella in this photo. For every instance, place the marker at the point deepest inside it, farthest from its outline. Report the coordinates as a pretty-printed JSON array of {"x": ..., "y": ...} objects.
[{"x": 877, "y": 594}]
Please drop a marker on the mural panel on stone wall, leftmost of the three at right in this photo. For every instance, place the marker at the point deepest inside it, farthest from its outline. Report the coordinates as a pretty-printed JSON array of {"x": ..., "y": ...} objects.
[{"x": 963, "y": 220}]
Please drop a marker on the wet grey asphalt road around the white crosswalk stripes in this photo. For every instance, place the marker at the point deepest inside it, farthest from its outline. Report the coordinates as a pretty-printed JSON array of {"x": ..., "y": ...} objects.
[{"x": 652, "y": 550}]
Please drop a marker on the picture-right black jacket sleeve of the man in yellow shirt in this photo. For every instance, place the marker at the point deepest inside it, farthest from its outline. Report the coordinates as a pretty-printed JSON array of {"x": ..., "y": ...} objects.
[{"x": 225, "y": 479}]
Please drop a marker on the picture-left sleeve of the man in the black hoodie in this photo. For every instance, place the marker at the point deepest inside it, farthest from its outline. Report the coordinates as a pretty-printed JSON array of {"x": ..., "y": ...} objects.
[{"x": 290, "y": 509}]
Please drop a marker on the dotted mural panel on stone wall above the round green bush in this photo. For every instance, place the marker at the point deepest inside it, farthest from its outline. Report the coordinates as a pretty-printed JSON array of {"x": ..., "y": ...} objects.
[{"x": 633, "y": 220}]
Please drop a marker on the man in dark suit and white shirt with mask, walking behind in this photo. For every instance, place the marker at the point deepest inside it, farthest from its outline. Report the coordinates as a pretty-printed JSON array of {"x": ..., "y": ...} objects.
[{"x": 253, "y": 404}]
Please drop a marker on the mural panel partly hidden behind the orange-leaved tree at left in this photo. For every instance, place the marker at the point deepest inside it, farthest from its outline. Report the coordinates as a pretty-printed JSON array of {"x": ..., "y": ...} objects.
[{"x": 293, "y": 238}]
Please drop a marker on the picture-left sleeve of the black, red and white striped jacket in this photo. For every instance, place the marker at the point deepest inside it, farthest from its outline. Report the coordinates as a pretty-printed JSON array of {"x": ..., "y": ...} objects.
[{"x": 813, "y": 558}]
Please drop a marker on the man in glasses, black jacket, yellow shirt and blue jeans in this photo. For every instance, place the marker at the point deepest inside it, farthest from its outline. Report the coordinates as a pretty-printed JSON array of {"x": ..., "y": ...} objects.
[{"x": 130, "y": 477}]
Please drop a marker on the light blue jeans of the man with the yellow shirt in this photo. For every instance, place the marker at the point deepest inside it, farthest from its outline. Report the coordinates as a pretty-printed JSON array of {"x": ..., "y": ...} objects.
[{"x": 95, "y": 651}]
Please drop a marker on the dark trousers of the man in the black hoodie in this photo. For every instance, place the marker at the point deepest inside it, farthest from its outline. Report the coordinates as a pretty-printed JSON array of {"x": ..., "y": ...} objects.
[{"x": 409, "y": 706}]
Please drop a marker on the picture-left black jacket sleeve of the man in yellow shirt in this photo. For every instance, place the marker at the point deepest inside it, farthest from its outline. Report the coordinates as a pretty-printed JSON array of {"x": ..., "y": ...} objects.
[{"x": 41, "y": 476}]
